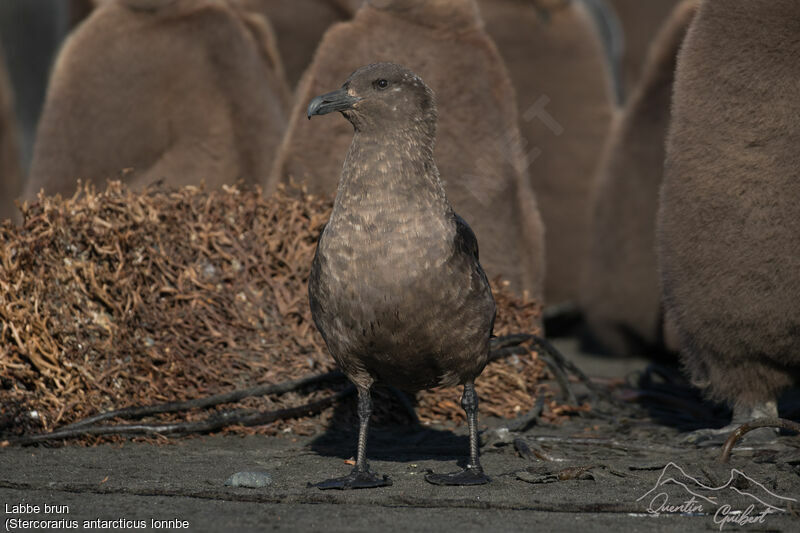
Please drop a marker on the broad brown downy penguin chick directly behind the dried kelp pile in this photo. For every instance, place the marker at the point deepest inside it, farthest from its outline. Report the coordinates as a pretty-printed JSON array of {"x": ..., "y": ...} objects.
[{"x": 179, "y": 90}]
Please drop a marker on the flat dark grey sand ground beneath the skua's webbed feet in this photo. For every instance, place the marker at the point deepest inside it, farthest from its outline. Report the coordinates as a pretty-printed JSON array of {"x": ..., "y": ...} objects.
[{"x": 621, "y": 458}]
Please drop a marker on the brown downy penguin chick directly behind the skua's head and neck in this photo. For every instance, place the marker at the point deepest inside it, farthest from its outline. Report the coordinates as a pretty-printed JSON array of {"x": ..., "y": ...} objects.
[{"x": 477, "y": 151}]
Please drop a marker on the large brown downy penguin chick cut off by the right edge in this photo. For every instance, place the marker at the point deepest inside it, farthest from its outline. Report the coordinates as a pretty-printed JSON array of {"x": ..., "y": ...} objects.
[{"x": 729, "y": 220}]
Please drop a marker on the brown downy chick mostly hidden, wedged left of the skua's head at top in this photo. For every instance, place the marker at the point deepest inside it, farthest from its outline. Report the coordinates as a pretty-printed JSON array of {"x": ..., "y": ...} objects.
[{"x": 299, "y": 26}]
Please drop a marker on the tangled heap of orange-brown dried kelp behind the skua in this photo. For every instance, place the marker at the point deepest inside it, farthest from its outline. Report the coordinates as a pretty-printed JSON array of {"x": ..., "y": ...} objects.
[{"x": 114, "y": 298}]
